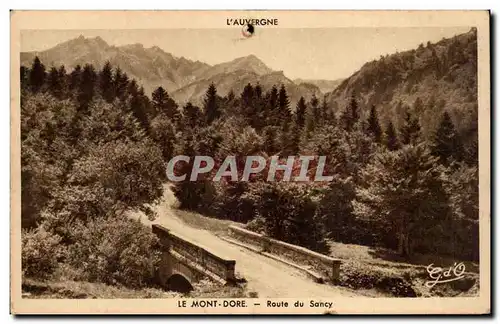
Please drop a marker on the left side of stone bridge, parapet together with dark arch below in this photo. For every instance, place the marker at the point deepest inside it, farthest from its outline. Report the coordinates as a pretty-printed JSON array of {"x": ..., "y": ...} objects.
[{"x": 185, "y": 262}]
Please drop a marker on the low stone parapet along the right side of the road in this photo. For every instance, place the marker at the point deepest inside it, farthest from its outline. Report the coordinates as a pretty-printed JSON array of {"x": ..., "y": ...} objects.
[{"x": 328, "y": 267}]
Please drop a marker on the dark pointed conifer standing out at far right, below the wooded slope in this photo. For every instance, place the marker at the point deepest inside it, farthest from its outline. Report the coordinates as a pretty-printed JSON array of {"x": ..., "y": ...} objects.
[{"x": 447, "y": 145}]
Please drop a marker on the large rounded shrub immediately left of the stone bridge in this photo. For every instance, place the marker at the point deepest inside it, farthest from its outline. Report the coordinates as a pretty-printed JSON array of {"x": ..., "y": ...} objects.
[{"x": 114, "y": 251}]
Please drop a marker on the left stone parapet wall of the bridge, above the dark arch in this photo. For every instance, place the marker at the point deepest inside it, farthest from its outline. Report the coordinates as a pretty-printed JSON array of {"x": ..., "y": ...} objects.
[{"x": 194, "y": 255}]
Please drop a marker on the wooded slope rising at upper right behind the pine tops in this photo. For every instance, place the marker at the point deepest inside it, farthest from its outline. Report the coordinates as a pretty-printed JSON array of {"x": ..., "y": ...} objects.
[{"x": 442, "y": 75}]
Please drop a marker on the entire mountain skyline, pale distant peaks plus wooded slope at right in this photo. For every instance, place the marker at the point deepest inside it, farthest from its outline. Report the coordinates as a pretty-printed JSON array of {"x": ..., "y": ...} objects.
[{"x": 426, "y": 80}]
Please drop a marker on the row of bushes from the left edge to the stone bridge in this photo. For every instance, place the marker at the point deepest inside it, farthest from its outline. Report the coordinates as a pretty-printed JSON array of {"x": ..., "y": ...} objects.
[{"x": 116, "y": 250}]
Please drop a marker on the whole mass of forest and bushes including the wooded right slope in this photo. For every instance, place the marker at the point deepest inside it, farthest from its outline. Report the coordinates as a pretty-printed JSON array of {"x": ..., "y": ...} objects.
[{"x": 94, "y": 145}]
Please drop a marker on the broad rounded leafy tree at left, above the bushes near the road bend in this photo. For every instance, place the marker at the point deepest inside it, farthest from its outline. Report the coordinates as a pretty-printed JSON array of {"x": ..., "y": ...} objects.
[{"x": 114, "y": 177}]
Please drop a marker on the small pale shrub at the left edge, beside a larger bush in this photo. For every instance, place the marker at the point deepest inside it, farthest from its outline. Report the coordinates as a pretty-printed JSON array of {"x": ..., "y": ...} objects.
[{"x": 40, "y": 253}]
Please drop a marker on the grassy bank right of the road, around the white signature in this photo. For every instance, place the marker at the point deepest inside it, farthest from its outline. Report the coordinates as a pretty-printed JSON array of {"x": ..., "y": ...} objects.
[{"x": 382, "y": 272}]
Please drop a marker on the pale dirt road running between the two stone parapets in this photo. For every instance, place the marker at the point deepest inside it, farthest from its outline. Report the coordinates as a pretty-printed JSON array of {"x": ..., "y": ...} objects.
[{"x": 267, "y": 277}]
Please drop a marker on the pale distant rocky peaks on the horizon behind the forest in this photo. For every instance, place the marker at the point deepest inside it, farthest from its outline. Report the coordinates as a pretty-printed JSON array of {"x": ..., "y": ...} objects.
[{"x": 185, "y": 80}]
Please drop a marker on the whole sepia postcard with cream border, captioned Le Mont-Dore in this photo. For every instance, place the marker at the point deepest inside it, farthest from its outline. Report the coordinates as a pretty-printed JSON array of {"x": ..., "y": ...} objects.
[{"x": 238, "y": 164}]
